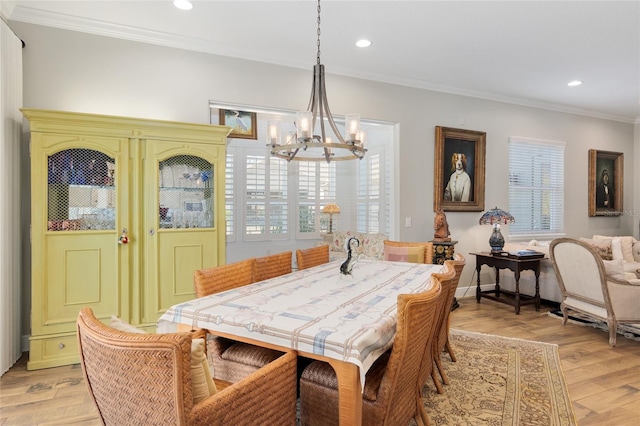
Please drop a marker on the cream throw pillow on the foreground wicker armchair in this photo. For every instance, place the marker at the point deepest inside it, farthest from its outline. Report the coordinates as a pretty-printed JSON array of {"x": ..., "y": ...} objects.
[{"x": 202, "y": 383}]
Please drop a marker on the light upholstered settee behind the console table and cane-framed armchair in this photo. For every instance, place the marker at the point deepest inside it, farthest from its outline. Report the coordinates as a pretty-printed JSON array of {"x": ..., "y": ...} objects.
[{"x": 625, "y": 248}]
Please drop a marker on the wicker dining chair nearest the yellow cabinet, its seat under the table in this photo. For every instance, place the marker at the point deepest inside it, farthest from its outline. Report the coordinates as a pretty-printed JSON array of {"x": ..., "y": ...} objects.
[{"x": 231, "y": 360}]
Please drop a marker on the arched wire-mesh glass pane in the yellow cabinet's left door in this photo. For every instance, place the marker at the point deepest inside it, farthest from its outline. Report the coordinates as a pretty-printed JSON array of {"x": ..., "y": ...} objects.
[{"x": 81, "y": 191}]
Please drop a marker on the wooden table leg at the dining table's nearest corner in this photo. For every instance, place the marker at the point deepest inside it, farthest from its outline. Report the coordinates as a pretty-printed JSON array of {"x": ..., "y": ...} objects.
[{"x": 349, "y": 392}]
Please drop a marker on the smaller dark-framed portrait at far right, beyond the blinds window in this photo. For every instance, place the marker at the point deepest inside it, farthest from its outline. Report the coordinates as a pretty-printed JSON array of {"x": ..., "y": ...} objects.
[{"x": 605, "y": 165}]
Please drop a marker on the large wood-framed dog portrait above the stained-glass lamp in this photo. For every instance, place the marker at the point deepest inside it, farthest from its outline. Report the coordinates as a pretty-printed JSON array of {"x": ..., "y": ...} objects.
[{"x": 466, "y": 193}]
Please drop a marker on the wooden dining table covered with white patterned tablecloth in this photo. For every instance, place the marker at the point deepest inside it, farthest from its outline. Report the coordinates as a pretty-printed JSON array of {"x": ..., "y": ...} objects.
[{"x": 345, "y": 320}]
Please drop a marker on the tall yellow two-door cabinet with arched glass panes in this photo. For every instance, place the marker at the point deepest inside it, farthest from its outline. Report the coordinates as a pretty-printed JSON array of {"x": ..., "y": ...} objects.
[{"x": 123, "y": 210}]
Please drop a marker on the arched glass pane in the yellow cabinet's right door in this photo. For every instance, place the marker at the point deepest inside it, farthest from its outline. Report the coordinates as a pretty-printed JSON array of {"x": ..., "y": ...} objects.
[{"x": 186, "y": 192}]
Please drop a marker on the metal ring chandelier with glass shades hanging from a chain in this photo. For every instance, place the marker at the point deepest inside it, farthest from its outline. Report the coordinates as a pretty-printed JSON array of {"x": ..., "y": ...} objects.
[{"x": 304, "y": 145}]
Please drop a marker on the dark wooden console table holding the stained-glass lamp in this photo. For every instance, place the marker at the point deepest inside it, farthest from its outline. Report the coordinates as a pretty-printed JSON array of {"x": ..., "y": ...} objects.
[{"x": 516, "y": 264}]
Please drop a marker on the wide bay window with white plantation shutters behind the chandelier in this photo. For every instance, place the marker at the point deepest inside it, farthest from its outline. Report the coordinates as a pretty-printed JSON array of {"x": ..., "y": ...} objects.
[{"x": 269, "y": 199}]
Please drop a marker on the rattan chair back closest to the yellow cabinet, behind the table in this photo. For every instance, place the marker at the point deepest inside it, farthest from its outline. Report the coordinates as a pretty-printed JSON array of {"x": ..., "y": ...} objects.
[{"x": 224, "y": 277}]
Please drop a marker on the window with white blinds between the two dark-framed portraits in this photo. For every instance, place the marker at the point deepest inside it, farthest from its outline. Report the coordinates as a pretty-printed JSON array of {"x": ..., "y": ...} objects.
[{"x": 536, "y": 187}]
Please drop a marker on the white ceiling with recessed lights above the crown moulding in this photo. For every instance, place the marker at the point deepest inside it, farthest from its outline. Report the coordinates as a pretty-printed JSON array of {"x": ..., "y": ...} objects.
[{"x": 522, "y": 52}]
